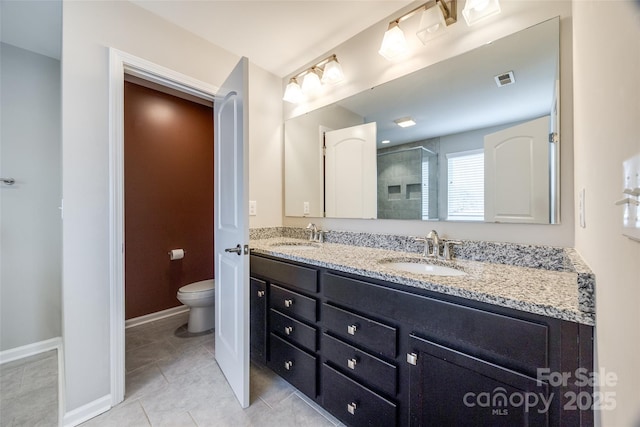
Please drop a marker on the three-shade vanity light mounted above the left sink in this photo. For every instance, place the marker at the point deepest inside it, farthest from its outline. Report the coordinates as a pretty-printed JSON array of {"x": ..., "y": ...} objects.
[{"x": 327, "y": 71}]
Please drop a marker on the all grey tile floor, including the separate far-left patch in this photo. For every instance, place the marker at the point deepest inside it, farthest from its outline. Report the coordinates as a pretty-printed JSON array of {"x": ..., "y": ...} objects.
[{"x": 172, "y": 379}]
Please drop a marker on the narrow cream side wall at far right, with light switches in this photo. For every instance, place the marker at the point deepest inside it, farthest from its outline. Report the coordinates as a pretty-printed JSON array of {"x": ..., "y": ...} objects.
[{"x": 607, "y": 129}]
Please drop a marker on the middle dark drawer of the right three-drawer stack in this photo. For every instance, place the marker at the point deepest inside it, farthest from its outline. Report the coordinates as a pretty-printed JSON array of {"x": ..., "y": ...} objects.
[{"x": 366, "y": 368}]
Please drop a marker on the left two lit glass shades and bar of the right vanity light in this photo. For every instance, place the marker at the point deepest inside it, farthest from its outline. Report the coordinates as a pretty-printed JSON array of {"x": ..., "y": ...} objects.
[{"x": 436, "y": 16}]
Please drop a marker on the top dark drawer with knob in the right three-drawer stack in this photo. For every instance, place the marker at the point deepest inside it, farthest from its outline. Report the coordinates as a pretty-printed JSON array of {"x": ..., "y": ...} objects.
[{"x": 374, "y": 336}]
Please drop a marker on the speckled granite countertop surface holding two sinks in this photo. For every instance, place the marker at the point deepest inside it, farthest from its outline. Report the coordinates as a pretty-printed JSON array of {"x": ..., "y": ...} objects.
[{"x": 550, "y": 293}]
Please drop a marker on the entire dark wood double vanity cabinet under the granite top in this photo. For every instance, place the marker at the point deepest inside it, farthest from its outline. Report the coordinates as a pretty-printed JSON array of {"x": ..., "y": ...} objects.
[{"x": 375, "y": 353}]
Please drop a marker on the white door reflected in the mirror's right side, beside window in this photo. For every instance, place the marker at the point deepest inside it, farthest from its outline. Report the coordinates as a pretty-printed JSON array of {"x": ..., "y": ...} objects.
[{"x": 517, "y": 174}]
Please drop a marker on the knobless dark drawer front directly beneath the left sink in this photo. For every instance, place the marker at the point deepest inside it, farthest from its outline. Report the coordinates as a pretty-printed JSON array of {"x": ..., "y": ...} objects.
[{"x": 295, "y": 276}]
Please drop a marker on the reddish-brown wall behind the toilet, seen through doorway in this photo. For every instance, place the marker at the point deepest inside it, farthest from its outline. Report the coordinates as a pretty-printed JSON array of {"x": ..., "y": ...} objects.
[{"x": 168, "y": 173}]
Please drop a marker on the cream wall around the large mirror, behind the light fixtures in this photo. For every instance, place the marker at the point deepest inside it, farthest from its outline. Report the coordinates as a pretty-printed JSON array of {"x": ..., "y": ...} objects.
[{"x": 364, "y": 68}]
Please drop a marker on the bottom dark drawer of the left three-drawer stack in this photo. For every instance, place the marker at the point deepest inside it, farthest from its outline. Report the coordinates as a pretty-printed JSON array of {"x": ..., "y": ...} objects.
[{"x": 294, "y": 365}]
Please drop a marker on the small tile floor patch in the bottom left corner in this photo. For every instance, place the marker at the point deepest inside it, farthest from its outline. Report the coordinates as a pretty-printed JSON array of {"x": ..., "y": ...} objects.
[{"x": 29, "y": 391}]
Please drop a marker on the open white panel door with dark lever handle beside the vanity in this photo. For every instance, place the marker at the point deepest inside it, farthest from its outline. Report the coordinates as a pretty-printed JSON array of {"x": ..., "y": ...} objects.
[{"x": 232, "y": 232}]
